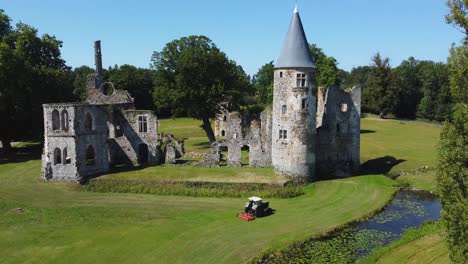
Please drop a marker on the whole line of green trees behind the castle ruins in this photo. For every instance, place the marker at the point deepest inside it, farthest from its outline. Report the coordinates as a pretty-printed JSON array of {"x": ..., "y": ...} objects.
[{"x": 192, "y": 77}]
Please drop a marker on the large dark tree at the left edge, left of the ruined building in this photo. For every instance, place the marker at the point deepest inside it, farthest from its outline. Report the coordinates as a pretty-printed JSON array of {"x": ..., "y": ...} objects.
[{"x": 32, "y": 72}]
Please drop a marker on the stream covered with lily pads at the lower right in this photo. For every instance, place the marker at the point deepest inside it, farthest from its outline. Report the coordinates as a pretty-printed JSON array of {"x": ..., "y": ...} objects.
[{"x": 408, "y": 209}]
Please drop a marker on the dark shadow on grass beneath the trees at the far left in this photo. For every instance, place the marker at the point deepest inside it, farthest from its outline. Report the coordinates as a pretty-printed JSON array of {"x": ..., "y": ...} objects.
[{"x": 27, "y": 152}]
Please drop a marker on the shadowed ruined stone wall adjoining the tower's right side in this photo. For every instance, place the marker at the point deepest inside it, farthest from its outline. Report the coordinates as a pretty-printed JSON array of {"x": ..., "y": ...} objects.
[{"x": 338, "y": 132}]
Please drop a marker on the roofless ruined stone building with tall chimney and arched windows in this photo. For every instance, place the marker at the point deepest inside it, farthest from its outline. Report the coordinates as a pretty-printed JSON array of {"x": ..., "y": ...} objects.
[{"x": 86, "y": 139}]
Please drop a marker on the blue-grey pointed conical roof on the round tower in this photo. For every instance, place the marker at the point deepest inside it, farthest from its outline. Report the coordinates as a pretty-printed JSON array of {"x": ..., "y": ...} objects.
[{"x": 295, "y": 53}]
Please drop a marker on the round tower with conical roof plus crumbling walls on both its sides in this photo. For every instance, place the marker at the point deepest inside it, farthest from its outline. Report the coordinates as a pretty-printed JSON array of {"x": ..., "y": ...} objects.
[{"x": 309, "y": 131}]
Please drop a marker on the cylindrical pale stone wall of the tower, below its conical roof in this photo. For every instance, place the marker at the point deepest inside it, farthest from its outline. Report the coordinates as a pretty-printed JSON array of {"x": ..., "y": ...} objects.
[{"x": 294, "y": 156}]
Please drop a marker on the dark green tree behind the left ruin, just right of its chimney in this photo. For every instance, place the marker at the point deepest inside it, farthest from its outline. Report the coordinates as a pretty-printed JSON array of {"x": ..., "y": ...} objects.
[{"x": 137, "y": 81}]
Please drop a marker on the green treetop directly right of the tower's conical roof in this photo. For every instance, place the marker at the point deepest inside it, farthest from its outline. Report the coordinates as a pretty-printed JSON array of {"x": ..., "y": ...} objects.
[{"x": 327, "y": 69}]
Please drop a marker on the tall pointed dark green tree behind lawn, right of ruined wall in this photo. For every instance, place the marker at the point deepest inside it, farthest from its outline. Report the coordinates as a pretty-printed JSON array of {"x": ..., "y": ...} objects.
[{"x": 380, "y": 93}]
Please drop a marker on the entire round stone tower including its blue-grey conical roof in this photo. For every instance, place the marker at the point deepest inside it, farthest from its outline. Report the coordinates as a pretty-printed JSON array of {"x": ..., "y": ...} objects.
[{"x": 294, "y": 107}]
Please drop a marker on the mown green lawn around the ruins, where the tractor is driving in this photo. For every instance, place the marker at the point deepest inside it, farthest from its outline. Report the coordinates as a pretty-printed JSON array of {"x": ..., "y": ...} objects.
[{"x": 61, "y": 224}]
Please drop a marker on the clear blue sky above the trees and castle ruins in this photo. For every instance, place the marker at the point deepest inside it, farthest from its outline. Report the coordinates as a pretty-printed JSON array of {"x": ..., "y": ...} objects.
[{"x": 250, "y": 32}]
